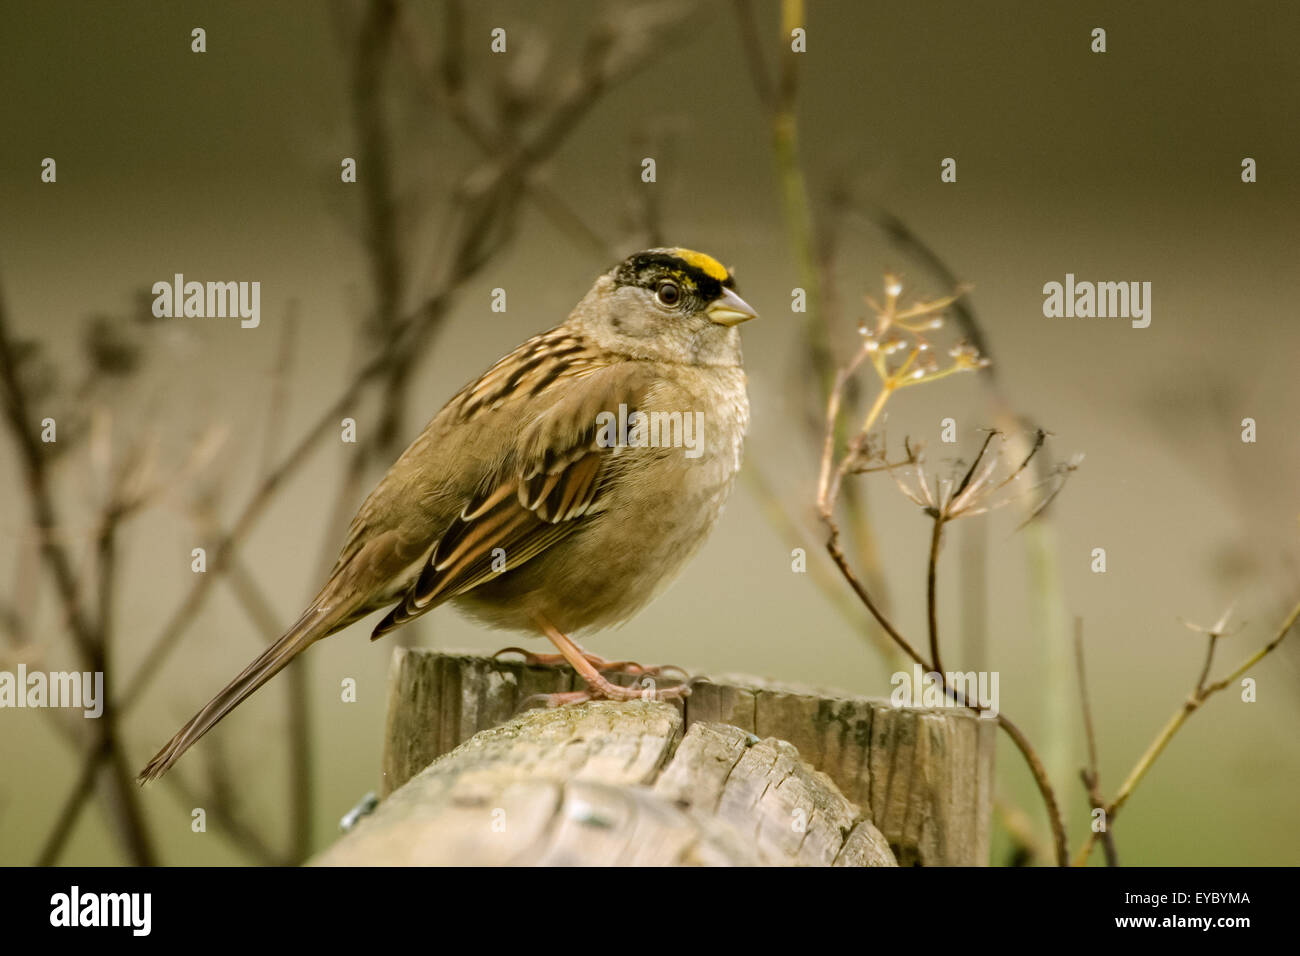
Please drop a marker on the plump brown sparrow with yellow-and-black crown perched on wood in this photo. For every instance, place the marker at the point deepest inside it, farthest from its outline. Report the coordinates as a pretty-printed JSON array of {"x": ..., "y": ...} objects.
[{"x": 541, "y": 499}]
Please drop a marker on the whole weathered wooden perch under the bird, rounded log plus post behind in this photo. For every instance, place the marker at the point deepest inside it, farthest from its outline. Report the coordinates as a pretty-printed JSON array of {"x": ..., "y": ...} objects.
[{"x": 747, "y": 772}]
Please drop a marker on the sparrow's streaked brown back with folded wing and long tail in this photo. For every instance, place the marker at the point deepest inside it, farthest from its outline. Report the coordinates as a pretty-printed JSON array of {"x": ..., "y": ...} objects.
[{"x": 547, "y": 485}]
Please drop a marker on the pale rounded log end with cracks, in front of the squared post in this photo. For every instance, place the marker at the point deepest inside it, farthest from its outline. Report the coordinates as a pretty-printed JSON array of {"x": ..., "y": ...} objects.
[{"x": 608, "y": 784}]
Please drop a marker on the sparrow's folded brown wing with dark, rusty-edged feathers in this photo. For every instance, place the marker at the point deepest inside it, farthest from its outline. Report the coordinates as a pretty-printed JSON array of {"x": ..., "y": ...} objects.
[{"x": 552, "y": 481}]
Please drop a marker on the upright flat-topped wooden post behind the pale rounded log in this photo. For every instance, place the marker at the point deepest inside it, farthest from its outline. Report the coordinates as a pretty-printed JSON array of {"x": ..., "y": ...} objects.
[{"x": 924, "y": 777}]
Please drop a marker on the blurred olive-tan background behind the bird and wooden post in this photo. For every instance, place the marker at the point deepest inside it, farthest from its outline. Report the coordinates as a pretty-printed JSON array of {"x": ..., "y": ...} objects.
[{"x": 523, "y": 171}]
